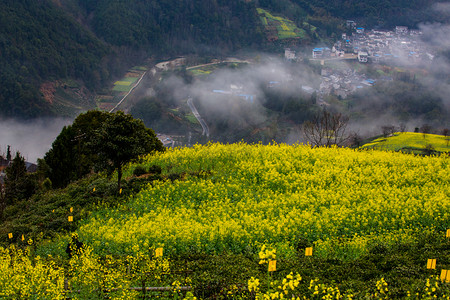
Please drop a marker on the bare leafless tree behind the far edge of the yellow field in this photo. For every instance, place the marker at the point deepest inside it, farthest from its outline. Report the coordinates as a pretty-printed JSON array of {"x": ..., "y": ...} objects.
[{"x": 327, "y": 129}]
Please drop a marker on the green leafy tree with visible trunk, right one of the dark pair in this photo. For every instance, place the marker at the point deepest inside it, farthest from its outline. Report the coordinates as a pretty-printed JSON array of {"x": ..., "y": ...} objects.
[{"x": 120, "y": 139}]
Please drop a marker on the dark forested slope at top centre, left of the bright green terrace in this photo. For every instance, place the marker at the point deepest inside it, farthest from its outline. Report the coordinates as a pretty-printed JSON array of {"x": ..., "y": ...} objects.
[{"x": 172, "y": 26}]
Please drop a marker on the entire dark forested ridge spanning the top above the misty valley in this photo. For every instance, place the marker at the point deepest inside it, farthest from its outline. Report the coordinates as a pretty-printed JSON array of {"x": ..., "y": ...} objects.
[{"x": 93, "y": 41}]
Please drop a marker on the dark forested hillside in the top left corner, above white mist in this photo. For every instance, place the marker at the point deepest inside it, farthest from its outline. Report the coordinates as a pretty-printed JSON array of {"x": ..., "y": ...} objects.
[{"x": 39, "y": 42}]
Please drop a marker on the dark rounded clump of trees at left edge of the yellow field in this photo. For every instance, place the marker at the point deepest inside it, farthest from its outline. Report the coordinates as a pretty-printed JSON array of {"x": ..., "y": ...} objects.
[{"x": 98, "y": 141}]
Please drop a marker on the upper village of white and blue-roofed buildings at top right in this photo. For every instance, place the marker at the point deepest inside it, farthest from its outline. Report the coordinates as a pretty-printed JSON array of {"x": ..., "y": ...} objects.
[{"x": 378, "y": 46}]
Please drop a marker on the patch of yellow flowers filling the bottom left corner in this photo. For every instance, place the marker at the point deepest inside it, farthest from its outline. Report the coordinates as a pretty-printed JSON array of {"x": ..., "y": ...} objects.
[{"x": 86, "y": 276}]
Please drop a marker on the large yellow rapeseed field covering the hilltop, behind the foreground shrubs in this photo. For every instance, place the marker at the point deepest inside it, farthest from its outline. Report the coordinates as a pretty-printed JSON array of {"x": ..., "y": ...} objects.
[{"x": 236, "y": 197}]
